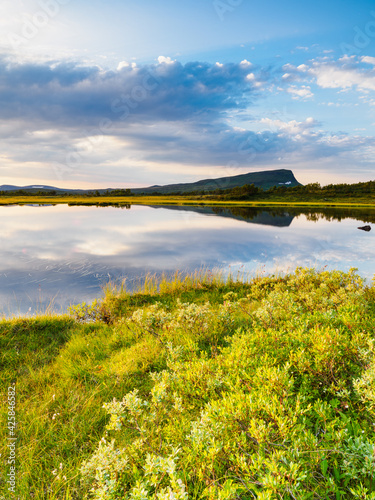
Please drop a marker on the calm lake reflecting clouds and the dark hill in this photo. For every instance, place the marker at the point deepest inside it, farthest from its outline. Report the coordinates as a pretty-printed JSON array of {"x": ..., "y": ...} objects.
[{"x": 64, "y": 255}]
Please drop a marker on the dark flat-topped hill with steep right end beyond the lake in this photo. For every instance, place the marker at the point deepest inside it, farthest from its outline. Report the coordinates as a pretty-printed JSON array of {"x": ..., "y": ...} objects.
[{"x": 264, "y": 180}]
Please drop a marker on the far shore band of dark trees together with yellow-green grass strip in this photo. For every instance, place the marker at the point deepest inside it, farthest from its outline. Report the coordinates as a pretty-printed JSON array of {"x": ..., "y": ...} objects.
[{"x": 359, "y": 194}]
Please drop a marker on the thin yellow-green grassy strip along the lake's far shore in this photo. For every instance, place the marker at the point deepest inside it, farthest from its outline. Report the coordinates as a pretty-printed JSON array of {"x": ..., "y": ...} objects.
[{"x": 298, "y": 201}]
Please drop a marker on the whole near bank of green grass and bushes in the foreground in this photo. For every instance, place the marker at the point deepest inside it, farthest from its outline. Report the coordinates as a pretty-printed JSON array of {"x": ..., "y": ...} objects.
[{"x": 211, "y": 389}]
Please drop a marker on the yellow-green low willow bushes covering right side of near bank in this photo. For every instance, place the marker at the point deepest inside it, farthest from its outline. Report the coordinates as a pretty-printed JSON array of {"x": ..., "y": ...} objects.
[{"x": 263, "y": 390}]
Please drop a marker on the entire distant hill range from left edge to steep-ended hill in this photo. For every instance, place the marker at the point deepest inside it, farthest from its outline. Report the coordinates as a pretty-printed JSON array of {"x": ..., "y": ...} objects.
[{"x": 264, "y": 180}]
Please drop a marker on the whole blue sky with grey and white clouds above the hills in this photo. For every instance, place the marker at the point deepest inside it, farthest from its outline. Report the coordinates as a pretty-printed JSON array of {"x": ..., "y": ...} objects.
[{"x": 114, "y": 93}]
